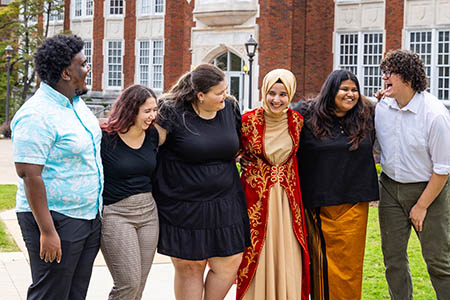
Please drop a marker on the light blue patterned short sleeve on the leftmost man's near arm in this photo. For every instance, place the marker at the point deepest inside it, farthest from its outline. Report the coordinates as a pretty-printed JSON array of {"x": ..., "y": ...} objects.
[{"x": 32, "y": 138}]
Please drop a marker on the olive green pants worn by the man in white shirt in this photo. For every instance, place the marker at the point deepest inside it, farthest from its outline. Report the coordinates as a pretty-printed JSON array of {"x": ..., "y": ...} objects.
[{"x": 396, "y": 201}]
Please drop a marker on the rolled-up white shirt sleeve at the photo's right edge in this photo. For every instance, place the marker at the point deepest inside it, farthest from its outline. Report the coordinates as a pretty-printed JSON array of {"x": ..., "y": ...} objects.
[{"x": 439, "y": 143}]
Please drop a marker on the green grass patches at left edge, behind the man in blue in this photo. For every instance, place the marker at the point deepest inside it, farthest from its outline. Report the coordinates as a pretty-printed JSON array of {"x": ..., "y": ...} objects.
[{"x": 7, "y": 201}]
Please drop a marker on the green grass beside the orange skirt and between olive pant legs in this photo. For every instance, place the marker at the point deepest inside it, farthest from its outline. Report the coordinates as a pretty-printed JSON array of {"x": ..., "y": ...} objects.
[{"x": 374, "y": 283}]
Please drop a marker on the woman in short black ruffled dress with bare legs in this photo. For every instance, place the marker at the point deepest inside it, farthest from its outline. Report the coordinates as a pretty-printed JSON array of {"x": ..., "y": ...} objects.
[{"x": 202, "y": 211}]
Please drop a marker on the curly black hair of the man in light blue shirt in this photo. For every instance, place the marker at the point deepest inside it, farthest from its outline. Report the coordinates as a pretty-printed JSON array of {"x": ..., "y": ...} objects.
[{"x": 54, "y": 55}]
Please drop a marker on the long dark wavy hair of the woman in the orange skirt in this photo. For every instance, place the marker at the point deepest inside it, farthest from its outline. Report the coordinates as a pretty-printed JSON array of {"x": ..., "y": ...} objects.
[{"x": 321, "y": 111}]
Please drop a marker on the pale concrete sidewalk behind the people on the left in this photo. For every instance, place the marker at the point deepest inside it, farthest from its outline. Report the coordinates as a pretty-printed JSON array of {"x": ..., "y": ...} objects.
[{"x": 15, "y": 276}]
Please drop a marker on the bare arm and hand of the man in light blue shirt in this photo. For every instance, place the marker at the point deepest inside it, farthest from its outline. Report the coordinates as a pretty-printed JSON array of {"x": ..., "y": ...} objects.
[{"x": 37, "y": 198}]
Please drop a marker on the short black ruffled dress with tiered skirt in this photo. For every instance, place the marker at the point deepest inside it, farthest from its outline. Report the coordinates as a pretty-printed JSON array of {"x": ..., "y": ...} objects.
[{"x": 201, "y": 204}]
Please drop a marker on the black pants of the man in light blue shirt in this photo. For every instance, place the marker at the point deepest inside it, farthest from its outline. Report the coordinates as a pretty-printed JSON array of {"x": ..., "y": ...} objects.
[{"x": 80, "y": 242}]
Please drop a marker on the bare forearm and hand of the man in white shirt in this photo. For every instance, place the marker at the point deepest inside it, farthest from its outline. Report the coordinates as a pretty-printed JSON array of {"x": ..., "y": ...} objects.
[{"x": 432, "y": 190}]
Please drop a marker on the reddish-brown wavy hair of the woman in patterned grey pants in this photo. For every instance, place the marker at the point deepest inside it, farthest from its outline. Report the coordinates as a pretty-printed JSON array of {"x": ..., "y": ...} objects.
[{"x": 126, "y": 108}]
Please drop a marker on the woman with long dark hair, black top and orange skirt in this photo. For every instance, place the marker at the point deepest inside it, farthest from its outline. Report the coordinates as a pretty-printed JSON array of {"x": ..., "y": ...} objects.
[{"x": 337, "y": 179}]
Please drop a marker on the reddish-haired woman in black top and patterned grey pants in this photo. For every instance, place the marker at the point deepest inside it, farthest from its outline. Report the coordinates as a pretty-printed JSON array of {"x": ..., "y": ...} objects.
[{"x": 130, "y": 218}]
